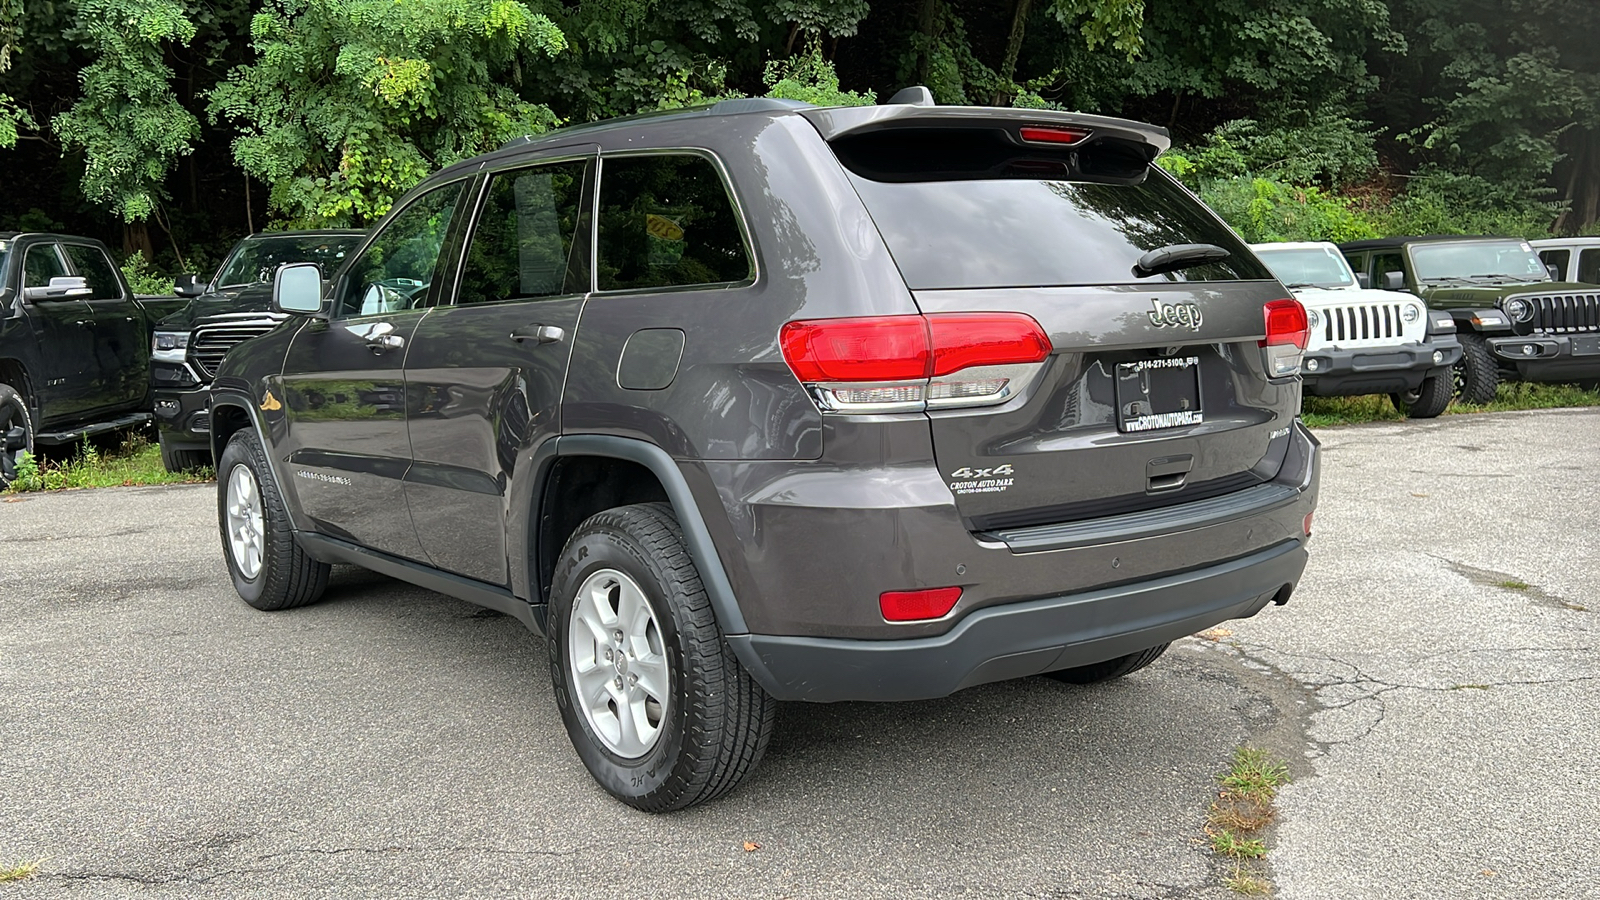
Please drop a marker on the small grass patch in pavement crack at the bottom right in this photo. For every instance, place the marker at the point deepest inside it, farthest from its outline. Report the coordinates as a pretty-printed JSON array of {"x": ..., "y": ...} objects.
[{"x": 1242, "y": 808}]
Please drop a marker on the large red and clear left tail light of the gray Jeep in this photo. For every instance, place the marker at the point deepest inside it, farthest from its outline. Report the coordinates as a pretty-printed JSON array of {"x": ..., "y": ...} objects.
[{"x": 887, "y": 364}]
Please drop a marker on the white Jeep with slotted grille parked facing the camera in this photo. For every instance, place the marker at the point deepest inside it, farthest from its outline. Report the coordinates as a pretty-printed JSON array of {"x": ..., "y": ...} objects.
[{"x": 1362, "y": 340}]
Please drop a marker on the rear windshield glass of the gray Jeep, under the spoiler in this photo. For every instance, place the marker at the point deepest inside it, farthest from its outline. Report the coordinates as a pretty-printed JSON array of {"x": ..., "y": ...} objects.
[{"x": 969, "y": 209}]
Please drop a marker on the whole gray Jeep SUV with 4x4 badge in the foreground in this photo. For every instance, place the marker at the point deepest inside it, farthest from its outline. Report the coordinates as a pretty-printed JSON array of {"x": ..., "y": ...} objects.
[{"x": 764, "y": 403}]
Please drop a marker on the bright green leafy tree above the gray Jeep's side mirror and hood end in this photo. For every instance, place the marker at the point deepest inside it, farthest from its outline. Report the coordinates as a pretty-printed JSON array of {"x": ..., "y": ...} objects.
[{"x": 351, "y": 103}]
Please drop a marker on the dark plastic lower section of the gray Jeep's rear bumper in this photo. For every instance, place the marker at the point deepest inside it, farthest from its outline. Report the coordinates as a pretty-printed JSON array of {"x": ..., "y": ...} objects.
[{"x": 1023, "y": 640}]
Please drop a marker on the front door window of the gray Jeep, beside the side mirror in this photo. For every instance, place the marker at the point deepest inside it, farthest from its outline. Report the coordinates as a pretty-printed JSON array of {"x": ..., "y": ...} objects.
[{"x": 398, "y": 268}]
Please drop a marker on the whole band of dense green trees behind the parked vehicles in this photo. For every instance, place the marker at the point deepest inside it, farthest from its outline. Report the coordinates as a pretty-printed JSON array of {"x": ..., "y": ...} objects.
[{"x": 172, "y": 127}]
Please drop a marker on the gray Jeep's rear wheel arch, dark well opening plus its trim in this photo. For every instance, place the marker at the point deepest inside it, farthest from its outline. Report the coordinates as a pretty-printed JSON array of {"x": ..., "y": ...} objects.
[{"x": 644, "y": 473}]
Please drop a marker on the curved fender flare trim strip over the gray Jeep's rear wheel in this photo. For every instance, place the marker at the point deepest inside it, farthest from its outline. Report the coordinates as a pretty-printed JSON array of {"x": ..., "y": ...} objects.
[{"x": 695, "y": 532}]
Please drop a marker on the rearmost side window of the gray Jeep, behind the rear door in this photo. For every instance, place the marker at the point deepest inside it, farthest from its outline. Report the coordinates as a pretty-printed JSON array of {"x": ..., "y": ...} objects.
[{"x": 668, "y": 222}]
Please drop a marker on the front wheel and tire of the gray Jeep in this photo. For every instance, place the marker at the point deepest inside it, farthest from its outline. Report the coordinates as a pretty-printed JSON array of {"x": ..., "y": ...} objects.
[{"x": 274, "y": 574}]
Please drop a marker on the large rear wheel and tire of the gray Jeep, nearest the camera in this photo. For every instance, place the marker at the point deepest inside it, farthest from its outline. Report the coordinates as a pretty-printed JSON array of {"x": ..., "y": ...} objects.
[{"x": 700, "y": 723}]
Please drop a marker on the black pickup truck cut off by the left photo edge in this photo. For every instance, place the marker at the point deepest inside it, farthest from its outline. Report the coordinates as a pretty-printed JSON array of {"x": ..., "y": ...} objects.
[{"x": 74, "y": 345}]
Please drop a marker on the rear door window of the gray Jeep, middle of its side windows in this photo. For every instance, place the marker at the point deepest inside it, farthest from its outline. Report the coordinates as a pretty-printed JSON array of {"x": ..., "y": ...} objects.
[{"x": 532, "y": 236}]
